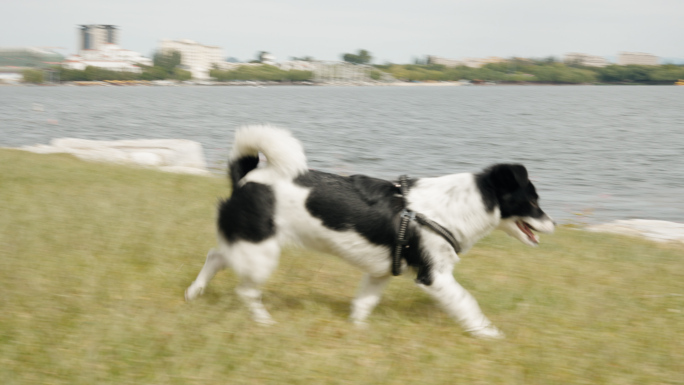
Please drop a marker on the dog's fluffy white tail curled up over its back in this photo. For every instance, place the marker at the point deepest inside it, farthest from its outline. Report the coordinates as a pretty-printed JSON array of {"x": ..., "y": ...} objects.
[{"x": 283, "y": 152}]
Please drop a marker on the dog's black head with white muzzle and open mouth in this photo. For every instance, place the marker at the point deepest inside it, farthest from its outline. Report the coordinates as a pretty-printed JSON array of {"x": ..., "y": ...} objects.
[{"x": 517, "y": 201}]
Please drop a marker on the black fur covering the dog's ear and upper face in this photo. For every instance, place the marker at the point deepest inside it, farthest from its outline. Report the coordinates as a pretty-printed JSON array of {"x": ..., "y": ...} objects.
[{"x": 507, "y": 187}]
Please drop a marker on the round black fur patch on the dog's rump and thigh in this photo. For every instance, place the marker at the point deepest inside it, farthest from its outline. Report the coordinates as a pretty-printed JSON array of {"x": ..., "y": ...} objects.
[{"x": 248, "y": 213}]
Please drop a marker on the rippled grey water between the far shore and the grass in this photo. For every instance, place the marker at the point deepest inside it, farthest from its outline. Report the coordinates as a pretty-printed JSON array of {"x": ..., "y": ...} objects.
[{"x": 613, "y": 152}]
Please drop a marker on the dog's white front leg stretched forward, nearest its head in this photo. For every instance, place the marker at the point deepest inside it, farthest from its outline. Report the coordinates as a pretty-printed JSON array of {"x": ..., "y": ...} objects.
[{"x": 460, "y": 305}]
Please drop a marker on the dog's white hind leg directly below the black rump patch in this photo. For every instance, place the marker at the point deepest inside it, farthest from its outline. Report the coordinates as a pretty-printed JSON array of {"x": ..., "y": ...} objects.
[{"x": 254, "y": 263}]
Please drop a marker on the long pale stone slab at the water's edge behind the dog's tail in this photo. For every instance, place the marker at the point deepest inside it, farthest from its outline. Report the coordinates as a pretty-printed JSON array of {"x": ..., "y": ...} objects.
[{"x": 172, "y": 155}]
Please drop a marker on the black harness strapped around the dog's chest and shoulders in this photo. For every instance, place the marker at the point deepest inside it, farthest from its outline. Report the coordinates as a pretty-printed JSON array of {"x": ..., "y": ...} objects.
[{"x": 406, "y": 217}]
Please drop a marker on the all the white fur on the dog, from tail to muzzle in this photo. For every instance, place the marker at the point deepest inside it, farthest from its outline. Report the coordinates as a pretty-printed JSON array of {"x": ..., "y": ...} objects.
[{"x": 452, "y": 201}]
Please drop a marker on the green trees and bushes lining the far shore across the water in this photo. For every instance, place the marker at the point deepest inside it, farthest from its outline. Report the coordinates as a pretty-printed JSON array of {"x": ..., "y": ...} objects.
[{"x": 516, "y": 70}]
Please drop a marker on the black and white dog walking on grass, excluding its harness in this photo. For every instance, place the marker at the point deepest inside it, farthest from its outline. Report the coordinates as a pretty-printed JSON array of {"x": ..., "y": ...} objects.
[{"x": 356, "y": 218}]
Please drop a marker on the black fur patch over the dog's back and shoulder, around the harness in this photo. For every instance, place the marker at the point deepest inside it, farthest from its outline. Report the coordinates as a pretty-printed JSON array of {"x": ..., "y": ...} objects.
[{"x": 368, "y": 206}]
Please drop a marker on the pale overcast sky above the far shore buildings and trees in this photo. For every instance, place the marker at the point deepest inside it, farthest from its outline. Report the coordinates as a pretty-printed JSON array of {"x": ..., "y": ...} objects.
[{"x": 392, "y": 31}]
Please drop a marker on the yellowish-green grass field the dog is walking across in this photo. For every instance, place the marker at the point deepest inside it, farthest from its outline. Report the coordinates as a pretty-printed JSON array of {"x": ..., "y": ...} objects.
[{"x": 94, "y": 259}]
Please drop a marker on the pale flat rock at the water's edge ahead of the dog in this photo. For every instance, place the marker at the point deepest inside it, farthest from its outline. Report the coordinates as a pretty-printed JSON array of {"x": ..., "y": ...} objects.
[{"x": 660, "y": 231}]
